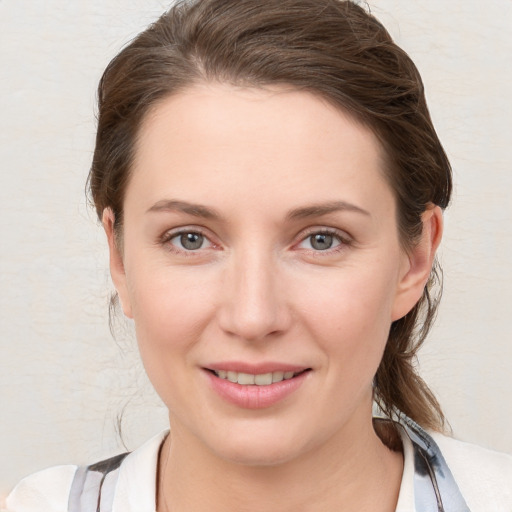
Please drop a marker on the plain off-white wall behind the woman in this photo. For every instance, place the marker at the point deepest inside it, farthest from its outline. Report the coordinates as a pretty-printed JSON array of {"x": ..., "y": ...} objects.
[{"x": 64, "y": 379}]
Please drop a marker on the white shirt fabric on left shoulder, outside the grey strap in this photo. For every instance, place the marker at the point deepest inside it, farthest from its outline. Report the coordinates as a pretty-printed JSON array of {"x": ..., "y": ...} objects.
[{"x": 44, "y": 491}]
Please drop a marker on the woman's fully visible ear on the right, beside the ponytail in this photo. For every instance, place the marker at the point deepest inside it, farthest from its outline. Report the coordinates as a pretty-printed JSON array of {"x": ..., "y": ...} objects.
[{"x": 418, "y": 263}]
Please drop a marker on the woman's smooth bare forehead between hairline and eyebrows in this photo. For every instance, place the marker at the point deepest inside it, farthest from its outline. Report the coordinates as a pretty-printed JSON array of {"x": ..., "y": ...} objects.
[{"x": 285, "y": 145}]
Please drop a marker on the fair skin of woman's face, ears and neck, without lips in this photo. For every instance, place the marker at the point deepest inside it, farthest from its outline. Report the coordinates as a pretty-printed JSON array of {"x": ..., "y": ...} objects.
[{"x": 257, "y": 290}]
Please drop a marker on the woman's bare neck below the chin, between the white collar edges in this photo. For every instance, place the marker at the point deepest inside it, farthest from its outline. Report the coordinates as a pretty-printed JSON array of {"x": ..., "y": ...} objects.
[{"x": 345, "y": 474}]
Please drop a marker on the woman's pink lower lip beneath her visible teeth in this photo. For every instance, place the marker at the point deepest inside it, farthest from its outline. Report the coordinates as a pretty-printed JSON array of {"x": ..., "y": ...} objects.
[{"x": 253, "y": 396}]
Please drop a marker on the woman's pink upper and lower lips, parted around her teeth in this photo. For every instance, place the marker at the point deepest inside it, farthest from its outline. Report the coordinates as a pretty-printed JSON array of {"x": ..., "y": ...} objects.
[{"x": 253, "y": 396}]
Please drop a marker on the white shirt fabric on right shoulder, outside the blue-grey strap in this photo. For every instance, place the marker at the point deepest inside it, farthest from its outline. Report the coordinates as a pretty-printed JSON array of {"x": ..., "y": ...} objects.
[{"x": 483, "y": 476}]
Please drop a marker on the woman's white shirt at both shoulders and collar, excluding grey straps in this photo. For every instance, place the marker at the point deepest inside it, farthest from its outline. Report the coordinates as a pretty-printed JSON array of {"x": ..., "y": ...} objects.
[{"x": 484, "y": 478}]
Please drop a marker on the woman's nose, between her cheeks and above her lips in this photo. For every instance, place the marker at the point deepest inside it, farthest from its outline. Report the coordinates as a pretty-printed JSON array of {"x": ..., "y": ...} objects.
[{"x": 253, "y": 305}]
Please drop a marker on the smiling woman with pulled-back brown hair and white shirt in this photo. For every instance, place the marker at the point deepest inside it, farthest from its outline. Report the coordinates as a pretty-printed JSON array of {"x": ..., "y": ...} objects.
[{"x": 272, "y": 187}]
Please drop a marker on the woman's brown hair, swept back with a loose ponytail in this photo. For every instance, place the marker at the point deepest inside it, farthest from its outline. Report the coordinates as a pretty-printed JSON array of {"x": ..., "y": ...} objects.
[{"x": 331, "y": 48}]
